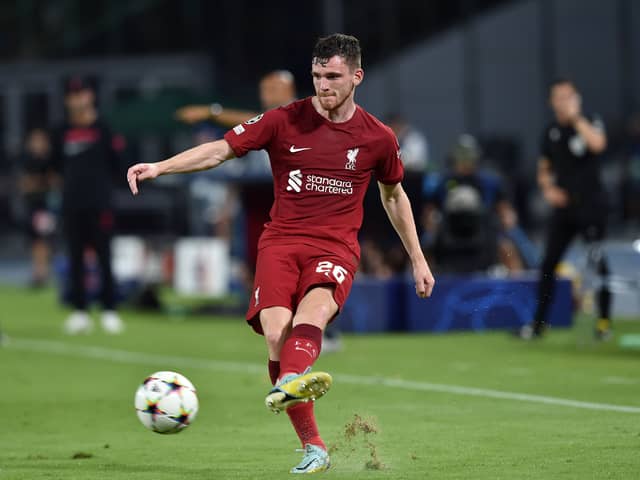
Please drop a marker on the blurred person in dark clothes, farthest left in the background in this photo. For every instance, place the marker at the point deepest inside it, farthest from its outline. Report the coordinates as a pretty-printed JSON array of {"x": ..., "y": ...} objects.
[{"x": 36, "y": 186}]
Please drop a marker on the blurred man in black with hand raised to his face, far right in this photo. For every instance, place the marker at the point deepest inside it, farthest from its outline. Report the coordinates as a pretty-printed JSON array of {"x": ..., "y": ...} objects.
[{"x": 569, "y": 177}]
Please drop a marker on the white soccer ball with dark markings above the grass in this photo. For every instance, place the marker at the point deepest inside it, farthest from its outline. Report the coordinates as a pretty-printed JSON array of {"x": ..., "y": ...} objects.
[{"x": 166, "y": 402}]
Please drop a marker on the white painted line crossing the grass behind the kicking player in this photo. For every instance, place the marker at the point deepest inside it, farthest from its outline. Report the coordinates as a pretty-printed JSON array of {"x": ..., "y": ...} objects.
[{"x": 169, "y": 362}]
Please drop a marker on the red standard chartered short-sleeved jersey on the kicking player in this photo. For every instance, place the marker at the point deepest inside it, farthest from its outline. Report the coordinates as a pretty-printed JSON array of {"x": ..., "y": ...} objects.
[{"x": 321, "y": 171}]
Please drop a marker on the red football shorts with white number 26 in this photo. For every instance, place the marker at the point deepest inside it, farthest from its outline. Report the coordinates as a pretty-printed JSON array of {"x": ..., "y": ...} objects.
[{"x": 285, "y": 273}]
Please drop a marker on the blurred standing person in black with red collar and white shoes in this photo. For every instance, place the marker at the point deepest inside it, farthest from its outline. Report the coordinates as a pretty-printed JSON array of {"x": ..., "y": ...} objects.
[{"x": 85, "y": 155}]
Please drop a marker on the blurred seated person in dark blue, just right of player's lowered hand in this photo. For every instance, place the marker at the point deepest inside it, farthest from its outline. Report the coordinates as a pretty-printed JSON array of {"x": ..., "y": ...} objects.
[{"x": 468, "y": 222}]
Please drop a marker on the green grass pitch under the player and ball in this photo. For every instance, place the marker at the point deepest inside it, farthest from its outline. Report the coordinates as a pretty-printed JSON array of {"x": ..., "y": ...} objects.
[{"x": 434, "y": 406}]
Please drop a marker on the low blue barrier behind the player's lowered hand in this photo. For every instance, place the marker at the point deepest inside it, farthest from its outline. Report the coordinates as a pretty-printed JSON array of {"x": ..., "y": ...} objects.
[{"x": 457, "y": 303}]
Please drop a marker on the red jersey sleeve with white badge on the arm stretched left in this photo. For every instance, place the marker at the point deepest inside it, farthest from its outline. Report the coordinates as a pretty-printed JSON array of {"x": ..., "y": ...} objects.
[{"x": 254, "y": 134}]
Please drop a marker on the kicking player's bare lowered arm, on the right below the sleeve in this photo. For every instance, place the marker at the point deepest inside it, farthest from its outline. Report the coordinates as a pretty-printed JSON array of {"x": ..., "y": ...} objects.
[{"x": 398, "y": 208}]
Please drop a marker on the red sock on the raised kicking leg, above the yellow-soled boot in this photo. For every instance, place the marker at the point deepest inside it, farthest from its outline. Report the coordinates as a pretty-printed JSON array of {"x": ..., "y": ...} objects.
[{"x": 300, "y": 349}]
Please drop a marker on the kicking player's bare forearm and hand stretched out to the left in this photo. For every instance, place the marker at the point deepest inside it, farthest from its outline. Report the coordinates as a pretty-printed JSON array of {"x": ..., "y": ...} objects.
[{"x": 203, "y": 157}]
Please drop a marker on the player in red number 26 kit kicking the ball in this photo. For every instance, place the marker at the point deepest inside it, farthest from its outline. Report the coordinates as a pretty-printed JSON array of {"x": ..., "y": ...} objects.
[{"x": 323, "y": 151}]
